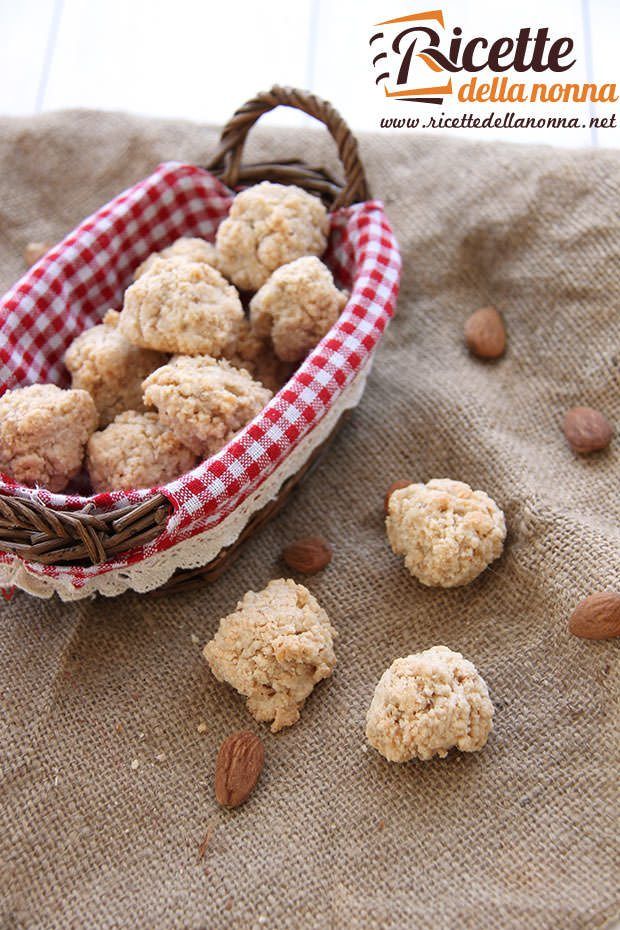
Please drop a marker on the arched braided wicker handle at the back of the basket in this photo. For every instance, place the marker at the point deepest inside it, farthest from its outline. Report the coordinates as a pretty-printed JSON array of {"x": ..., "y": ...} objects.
[{"x": 226, "y": 162}]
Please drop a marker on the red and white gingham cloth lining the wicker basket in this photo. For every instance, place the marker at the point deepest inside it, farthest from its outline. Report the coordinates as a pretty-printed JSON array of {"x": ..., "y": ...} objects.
[{"x": 72, "y": 286}]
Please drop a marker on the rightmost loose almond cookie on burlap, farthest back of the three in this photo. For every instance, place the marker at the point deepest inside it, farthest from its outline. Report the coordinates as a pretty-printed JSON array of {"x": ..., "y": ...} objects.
[{"x": 447, "y": 533}]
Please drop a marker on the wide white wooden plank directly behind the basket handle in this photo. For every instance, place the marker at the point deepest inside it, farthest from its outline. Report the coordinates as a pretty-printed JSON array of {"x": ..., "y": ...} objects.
[{"x": 191, "y": 59}]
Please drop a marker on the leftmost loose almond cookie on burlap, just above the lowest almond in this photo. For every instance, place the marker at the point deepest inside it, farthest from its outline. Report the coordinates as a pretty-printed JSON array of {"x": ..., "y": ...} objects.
[{"x": 273, "y": 649}]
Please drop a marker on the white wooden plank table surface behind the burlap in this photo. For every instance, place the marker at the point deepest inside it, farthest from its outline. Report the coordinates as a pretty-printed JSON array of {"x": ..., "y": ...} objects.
[{"x": 199, "y": 59}]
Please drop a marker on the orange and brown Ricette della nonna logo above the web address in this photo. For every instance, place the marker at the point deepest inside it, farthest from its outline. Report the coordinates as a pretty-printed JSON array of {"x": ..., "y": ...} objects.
[{"x": 418, "y": 60}]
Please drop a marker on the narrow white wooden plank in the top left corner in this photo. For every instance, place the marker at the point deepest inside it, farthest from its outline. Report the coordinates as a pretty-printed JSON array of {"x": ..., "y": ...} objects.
[{"x": 25, "y": 27}]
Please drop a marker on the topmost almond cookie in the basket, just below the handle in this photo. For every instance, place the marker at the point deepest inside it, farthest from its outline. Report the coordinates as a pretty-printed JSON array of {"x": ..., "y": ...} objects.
[{"x": 268, "y": 226}]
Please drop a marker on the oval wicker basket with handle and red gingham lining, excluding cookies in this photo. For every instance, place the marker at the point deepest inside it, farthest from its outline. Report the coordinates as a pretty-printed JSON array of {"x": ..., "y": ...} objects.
[{"x": 172, "y": 537}]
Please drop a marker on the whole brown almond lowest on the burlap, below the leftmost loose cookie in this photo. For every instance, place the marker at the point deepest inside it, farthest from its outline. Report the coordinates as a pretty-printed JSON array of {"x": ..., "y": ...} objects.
[{"x": 238, "y": 767}]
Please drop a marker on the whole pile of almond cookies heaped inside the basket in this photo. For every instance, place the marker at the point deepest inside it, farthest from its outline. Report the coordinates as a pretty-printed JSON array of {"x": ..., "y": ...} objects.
[{"x": 207, "y": 333}]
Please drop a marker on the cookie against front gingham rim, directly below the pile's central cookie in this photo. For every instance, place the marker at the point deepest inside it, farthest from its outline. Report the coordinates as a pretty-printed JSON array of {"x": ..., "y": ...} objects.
[{"x": 204, "y": 401}]
